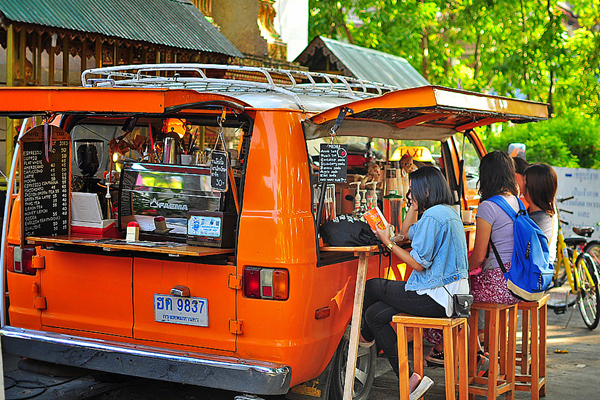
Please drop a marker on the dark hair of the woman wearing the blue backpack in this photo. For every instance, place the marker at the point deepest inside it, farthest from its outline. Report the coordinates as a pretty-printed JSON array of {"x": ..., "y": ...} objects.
[{"x": 497, "y": 175}]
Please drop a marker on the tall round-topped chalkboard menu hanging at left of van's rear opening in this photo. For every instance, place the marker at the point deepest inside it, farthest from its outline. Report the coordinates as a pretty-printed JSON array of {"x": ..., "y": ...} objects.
[{"x": 45, "y": 182}]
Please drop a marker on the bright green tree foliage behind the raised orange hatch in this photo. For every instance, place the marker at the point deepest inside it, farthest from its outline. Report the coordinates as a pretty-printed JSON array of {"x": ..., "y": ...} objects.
[{"x": 517, "y": 48}]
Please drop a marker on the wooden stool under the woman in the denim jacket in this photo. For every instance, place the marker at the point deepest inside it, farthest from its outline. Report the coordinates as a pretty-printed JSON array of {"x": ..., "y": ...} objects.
[{"x": 455, "y": 362}]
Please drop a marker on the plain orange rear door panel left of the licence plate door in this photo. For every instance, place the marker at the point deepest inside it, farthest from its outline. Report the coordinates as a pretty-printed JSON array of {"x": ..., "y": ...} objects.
[{"x": 87, "y": 292}]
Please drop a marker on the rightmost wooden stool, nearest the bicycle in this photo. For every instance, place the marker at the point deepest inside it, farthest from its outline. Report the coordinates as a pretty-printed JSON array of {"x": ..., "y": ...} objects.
[{"x": 533, "y": 368}]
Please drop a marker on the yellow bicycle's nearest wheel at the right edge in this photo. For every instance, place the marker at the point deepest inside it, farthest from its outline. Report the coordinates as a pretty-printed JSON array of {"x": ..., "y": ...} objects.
[{"x": 589, "y": 303}]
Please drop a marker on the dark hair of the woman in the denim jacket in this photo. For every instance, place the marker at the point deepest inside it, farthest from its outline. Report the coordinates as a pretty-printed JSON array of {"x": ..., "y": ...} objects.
[{"x": 429, "y": 188}]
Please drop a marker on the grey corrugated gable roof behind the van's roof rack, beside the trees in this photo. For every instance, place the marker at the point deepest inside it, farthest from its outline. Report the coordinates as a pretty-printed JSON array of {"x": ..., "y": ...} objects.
[{"x": 363, "y": 63}]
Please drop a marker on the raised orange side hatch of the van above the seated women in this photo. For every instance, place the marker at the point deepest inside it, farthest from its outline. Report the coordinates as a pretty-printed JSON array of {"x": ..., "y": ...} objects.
[{"x": 431, "y": 112}]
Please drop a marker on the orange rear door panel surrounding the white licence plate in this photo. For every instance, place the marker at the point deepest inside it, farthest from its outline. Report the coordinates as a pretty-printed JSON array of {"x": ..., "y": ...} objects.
[{"x": 206, "y": 281}]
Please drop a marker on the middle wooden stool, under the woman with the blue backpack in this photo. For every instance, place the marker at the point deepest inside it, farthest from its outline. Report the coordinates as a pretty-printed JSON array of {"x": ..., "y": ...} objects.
[{"x": 502, "y": 348}]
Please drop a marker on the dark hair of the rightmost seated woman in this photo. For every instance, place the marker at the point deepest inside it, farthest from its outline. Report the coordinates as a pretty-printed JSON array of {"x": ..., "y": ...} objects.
[{"x": 541, "y": 184}]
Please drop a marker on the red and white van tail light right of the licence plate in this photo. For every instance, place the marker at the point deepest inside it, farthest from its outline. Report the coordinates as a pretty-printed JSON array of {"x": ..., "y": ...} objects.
[{"x": 266, "y": 283}]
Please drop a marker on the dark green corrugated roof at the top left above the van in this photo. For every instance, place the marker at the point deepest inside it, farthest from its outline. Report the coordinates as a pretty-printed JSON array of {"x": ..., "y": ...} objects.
[{"x": 173, "y": 23}]
